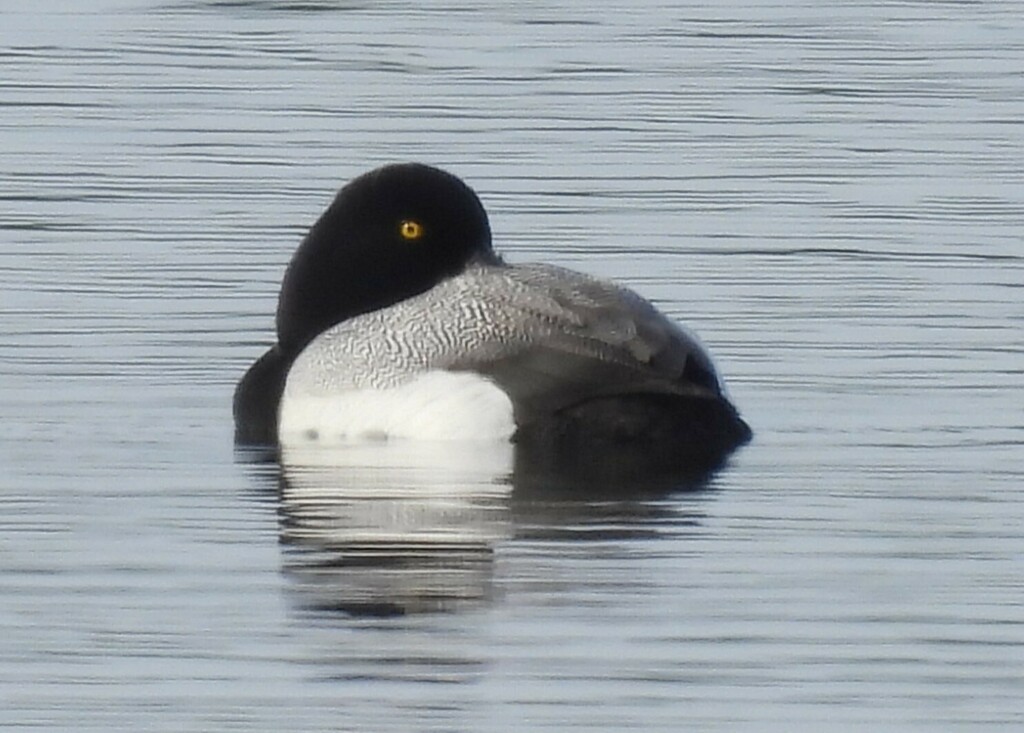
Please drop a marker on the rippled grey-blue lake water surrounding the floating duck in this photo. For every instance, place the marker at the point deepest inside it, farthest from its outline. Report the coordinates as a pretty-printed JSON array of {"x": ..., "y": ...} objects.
[{"x": 831, "y": 194}]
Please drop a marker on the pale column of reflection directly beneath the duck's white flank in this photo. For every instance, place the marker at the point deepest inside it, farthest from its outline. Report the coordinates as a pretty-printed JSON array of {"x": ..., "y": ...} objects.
[{"x": 375, "y": 529}]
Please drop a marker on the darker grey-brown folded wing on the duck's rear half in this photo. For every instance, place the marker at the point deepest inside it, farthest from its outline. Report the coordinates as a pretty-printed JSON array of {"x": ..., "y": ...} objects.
[{"x": 564, "y": 338}]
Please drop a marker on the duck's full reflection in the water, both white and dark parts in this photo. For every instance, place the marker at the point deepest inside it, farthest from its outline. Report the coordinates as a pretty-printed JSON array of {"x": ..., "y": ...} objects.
[{"x": 402, "y": 528}]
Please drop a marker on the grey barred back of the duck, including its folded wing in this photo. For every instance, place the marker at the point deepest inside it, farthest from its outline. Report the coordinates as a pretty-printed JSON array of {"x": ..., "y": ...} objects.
[{"x": 543, "y": 333}]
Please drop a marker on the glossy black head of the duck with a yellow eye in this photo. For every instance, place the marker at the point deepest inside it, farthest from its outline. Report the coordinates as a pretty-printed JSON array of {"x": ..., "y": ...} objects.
[{"x": 390, "y": 235}]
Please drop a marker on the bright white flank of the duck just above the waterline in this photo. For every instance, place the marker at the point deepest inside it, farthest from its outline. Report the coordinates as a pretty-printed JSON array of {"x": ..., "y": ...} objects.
[{"x": 433, "y": 406}]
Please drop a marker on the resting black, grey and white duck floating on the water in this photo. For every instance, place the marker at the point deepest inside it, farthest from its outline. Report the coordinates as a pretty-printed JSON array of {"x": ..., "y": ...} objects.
[{"x": 397, "y": 319}]
